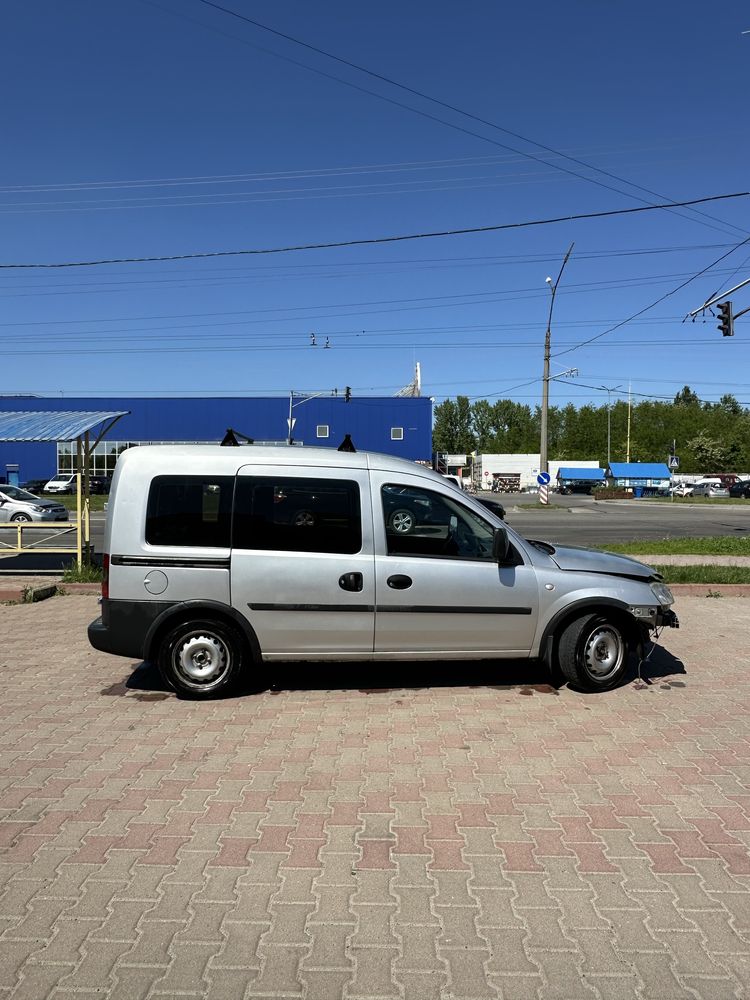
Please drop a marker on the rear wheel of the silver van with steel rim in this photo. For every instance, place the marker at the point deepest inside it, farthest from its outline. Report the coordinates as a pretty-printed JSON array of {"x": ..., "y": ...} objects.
[{"x": 201, "y": 658}]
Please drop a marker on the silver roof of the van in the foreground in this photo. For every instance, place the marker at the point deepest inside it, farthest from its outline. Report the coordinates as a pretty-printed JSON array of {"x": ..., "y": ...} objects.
[{"x": 216, "y": 459}]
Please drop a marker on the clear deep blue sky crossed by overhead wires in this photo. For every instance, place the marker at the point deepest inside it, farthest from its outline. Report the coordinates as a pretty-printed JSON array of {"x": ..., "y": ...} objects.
[{"x": 162, "y": 127}]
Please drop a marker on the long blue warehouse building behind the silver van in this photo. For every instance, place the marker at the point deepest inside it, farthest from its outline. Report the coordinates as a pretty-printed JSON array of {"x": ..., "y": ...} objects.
[{"x": 400, "y": 426}]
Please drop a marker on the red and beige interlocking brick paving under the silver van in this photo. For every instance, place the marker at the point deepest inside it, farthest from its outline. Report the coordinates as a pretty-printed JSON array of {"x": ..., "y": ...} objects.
[{"x": 422, "y": 833}]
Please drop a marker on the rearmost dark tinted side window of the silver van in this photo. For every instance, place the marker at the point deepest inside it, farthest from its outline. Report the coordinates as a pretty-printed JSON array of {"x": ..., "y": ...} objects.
[{"x": 190, "y": 510}]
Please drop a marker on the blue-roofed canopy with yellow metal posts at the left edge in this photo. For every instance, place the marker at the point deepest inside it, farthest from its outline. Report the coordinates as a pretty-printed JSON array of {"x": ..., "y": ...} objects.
[{"x": 62, "y": 425}]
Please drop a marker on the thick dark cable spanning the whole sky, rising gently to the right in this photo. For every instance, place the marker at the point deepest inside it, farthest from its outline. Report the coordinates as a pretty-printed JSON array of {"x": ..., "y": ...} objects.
[{"x": 379, "y": 239}]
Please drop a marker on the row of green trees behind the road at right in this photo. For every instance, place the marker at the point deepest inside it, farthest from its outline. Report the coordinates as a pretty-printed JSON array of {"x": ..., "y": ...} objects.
[{"x": 709, "y": 437}]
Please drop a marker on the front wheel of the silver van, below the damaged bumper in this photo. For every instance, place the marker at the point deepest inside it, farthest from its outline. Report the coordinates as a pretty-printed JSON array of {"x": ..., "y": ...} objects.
[{"x": 593, "y": 652}]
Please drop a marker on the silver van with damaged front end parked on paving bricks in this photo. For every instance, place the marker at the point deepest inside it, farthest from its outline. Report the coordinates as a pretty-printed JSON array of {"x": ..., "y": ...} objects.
[{"x": 220, "y": 559}]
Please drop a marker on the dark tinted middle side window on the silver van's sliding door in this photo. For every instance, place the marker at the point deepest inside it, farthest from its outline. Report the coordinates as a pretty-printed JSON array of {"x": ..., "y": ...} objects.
[{"x": 297, "y": 515}]
